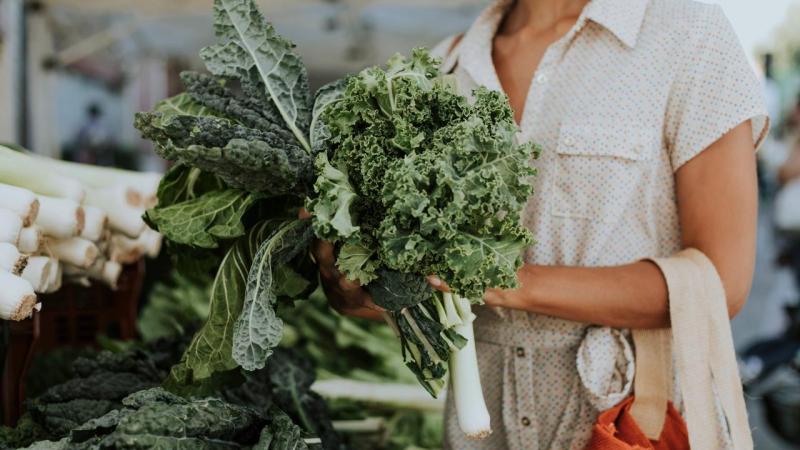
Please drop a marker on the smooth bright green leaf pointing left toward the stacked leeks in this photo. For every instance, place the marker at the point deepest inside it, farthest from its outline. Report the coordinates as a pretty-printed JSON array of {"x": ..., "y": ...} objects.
[{"x": 205, "y": 220}]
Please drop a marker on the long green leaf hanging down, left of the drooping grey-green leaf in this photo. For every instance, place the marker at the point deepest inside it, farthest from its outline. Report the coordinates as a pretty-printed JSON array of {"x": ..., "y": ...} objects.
[{"x": 211, "y": 348}]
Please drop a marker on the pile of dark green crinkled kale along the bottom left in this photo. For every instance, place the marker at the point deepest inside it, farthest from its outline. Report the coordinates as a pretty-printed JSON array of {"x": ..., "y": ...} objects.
[{"x": 112, "y": 400}]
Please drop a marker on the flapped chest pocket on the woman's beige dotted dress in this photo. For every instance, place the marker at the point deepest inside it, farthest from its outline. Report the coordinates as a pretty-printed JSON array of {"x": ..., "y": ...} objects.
[{"x": 601, "y": 171}]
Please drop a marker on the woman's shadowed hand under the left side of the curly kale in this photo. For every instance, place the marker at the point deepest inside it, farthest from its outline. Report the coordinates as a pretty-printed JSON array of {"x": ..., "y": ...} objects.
[{"x": 347, "y": 297}]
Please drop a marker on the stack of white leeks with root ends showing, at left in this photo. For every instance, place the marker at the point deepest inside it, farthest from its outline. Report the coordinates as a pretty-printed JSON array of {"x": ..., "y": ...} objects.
[{"x": 52, "y": 226}]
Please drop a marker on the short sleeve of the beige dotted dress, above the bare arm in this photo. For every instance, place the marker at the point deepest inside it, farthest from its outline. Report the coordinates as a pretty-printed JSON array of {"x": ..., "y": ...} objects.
[{"x": 714, "y": 91}]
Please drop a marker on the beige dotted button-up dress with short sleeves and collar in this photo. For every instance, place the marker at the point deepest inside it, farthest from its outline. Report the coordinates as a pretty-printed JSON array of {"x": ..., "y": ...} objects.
[{"x": 635, "y": 90}]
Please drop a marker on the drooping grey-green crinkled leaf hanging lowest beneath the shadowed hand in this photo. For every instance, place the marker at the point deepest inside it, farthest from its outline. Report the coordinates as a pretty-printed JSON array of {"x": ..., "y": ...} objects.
[{"x": 258, "y": 329}]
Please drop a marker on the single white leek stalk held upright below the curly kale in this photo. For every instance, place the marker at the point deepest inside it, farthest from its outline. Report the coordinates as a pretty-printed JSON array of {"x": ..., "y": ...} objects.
[{"x": 465, "y": 380}]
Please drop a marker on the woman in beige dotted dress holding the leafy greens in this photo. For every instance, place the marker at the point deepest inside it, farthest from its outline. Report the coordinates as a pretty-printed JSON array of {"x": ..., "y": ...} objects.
[{"x": 649, "y": 115}]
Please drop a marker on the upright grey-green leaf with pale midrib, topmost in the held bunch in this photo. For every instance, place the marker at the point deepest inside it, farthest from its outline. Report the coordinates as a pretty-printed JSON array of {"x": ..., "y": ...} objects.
[{"x": 254, "y": 53}]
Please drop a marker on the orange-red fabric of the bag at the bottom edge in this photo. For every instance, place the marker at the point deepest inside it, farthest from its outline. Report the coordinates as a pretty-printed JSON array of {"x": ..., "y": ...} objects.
[{"x": 616, "y": 429}]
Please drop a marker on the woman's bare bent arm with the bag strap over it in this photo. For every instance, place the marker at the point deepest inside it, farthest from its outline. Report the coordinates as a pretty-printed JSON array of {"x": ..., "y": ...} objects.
[{"x": 717, "y": 202}]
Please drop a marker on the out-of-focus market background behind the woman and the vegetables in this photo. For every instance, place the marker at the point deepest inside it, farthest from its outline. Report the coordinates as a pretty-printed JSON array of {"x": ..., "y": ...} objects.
[{"x": 74, "y": 72}]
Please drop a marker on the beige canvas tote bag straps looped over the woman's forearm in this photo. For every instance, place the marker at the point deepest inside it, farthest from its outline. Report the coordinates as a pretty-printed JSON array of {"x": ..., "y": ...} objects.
[{"x": 704, "y": 356}]
